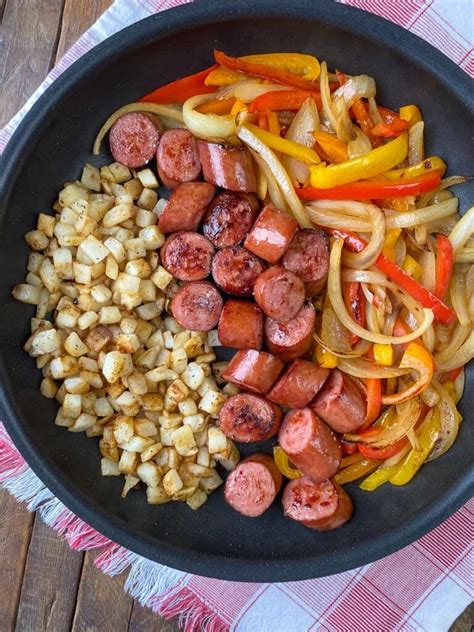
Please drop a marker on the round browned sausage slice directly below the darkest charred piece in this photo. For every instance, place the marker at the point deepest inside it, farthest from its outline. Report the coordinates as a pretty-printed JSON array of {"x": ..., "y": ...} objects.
[{"x": 235, "y": 270}]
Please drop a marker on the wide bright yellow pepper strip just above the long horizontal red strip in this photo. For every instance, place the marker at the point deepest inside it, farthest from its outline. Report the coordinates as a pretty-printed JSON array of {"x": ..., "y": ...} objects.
[{"x": 369, "y": 165}]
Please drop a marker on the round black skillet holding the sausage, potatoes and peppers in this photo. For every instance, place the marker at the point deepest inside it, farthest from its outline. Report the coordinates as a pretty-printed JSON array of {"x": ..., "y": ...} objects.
[{"x": 50, "y": 148}]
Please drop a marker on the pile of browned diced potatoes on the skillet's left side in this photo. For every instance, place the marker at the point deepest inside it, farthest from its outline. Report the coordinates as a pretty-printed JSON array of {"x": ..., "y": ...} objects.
[{"x": 119, "y": 366}]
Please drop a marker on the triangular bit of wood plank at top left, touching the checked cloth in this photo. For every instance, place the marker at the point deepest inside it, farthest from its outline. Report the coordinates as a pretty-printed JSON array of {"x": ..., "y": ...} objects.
[{"x": 78, "y": 15}]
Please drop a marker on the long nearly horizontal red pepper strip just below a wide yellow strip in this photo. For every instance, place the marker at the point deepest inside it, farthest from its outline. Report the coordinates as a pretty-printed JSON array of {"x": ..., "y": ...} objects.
[{"x": 375, "y": 189}]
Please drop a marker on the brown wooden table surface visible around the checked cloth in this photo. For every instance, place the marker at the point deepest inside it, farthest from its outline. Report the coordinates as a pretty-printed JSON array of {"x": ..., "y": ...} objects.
[{"x": 44, "y": 586}]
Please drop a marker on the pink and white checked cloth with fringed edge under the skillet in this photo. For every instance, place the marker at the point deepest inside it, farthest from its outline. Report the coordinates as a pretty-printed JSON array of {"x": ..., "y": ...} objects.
[{"x": 423, "y": 587}]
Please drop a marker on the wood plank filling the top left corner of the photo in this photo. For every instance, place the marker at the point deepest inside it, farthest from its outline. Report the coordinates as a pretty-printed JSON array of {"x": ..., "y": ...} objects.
[{"x": 28, "y": 41}]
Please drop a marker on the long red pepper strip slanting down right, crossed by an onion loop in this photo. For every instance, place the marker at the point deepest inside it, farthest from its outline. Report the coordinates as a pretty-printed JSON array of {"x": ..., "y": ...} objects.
[{"x": 442, "y": 312}]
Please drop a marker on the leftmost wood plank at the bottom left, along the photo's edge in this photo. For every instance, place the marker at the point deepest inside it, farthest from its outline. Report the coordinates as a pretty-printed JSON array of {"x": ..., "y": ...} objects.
[{"x": 15, "y": 530}]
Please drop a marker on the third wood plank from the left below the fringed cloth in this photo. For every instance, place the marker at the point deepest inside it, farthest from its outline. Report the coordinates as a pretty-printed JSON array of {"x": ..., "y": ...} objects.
[{"x": 102, "y": 604}]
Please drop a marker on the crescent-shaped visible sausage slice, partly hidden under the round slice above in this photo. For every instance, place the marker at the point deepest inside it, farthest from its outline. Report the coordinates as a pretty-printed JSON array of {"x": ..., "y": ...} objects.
[{"x": 292, "y": 339}]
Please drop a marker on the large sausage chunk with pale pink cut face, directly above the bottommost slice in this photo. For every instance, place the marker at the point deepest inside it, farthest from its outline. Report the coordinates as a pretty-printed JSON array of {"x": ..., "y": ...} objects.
[{"x": 310, "y": 444}]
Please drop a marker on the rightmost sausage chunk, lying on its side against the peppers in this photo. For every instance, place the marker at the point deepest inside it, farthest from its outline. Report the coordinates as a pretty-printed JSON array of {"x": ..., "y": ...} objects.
[{"x": 340, "y": 403}]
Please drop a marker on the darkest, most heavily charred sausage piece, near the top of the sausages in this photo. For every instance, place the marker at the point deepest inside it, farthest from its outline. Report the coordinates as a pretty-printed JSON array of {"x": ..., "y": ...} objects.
[{"x": 229, "y": 218}]
